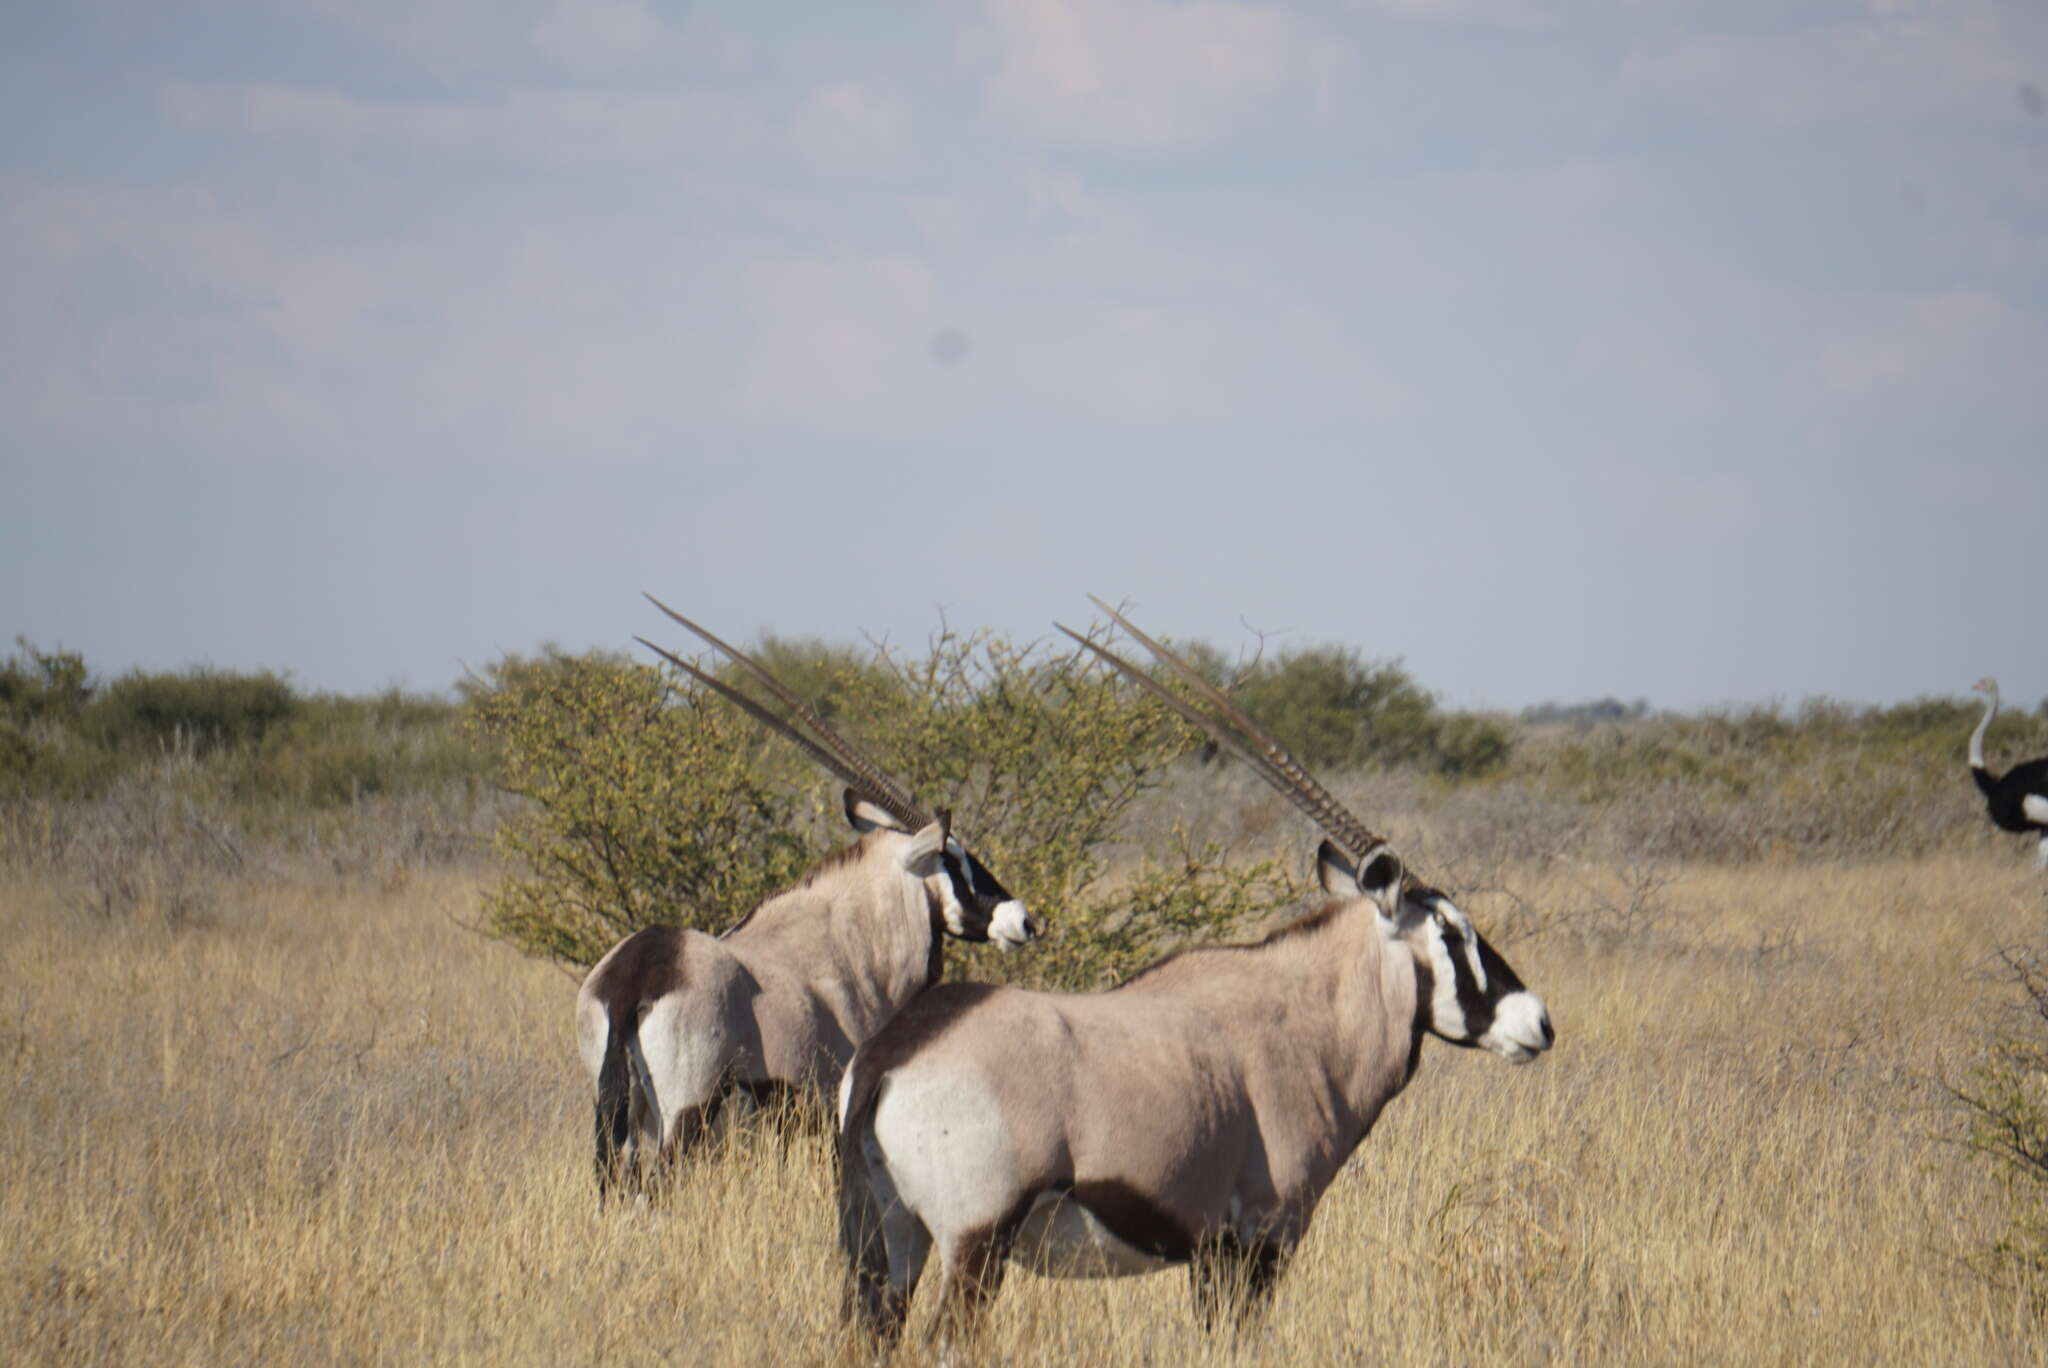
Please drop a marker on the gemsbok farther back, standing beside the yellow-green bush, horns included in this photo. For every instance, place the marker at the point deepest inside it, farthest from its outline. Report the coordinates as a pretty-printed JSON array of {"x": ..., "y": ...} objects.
[{"x": 675, "y": 1023}]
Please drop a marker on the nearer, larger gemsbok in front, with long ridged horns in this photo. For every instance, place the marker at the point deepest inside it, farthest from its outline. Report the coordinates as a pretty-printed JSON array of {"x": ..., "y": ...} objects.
[{"x": 1193, "y": 1115}]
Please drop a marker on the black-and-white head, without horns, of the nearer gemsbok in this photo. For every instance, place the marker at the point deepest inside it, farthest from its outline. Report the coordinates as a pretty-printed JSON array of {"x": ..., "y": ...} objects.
[{"x": 1465, "y": 992}]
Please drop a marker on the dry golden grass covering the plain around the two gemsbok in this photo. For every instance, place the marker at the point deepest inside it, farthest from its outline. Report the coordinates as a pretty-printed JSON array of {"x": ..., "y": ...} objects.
[{"x": 337, "y": 1127}]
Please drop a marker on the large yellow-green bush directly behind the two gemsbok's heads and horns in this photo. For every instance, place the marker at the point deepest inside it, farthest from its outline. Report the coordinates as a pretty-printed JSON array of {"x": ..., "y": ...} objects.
[{"x": 656, "y": 802}]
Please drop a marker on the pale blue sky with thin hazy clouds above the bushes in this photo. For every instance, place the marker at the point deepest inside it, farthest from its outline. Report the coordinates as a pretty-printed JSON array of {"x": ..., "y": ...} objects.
[{"x": 1689, "y": 351}]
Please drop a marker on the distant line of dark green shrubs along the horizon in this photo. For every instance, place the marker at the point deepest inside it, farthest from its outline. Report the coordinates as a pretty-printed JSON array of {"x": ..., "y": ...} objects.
[{"x": 69, "y": 734}]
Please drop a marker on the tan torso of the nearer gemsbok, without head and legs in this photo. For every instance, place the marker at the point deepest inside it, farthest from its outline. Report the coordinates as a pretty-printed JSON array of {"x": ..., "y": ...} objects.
[{"x": 1269, "y": 1093}]
